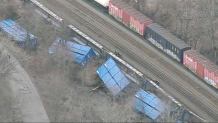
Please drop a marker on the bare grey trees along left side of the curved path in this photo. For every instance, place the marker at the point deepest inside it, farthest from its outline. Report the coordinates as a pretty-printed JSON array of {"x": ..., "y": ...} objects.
[{"x": 11, "y": 102}]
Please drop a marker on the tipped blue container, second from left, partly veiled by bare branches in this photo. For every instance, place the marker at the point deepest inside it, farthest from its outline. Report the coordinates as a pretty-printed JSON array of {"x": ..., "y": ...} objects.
[{"x": 79, "y": 53}]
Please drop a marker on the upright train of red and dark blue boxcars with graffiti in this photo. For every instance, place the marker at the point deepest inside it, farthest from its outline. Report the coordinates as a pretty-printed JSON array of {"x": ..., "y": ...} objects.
[{"x": 163, "y": 39}]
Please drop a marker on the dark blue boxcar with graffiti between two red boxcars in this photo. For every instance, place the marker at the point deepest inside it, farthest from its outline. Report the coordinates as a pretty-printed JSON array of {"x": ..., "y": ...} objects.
[{"x": 166, "y": 41}]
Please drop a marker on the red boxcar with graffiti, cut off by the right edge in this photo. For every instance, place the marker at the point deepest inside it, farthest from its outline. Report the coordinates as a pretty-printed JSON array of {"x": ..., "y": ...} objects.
[{"x": 201, "y": 66}]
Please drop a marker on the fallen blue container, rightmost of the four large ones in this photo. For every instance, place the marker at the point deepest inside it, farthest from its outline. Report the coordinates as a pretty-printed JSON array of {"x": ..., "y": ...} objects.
[{"x": 148, "y": 104}]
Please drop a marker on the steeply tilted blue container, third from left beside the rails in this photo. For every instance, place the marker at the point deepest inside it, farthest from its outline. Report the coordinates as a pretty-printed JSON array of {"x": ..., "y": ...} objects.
[{"x": 112, "y": 76}]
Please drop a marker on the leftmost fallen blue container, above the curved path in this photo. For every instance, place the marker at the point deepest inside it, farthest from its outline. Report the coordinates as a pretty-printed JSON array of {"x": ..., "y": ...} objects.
[{"x": 18, "y": 33}]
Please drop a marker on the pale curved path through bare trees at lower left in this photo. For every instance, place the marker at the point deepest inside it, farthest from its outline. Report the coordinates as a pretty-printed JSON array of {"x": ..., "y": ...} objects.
[{"x": 32, "y": 109}]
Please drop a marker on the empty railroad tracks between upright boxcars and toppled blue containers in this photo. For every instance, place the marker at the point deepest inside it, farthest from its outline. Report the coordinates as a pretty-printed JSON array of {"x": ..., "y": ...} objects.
[{"x": 211, "y": 110}]
